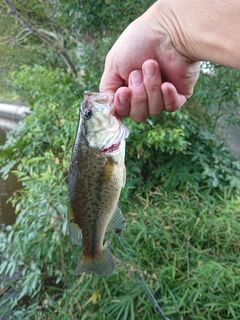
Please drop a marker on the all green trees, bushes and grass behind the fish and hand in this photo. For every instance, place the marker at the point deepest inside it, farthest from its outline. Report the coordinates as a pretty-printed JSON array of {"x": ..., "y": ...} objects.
[{"x": 181, "y": 200}]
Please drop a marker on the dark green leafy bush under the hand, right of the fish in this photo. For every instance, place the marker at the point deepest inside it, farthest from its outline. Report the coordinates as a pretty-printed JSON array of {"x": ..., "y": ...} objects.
[{"x": 174, "y": 150}]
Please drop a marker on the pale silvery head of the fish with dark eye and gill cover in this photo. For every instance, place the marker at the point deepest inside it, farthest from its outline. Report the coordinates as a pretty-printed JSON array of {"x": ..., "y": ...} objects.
[{"x": 104, "y": 132}]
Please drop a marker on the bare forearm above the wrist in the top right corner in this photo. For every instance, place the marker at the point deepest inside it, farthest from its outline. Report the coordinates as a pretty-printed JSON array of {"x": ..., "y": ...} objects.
[{"x": 202, "y": 30}]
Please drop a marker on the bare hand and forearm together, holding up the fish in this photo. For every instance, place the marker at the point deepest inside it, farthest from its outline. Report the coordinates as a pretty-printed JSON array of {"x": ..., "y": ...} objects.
[{"x": 154, "y": 64}]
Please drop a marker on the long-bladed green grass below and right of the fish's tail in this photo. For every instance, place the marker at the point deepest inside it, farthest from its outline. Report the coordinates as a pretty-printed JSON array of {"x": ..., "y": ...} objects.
[{"x": 187, "y": 246}]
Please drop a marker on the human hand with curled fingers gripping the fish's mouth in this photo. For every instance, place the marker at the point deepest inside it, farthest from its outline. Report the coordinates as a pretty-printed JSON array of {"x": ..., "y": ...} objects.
[{"x": 147, "y": 71}]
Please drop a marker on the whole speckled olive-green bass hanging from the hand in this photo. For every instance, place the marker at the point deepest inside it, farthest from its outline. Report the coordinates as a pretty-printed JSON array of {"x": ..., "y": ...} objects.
[{"x": 97, "y": 174}]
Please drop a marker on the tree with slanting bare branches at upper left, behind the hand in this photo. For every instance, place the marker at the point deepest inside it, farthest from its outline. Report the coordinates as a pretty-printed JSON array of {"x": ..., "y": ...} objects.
[{"x": 68, "y": 30}]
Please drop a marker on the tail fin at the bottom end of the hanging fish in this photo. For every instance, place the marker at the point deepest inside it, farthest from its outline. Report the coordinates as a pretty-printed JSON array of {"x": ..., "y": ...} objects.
[{"x": 102, "y": 264}]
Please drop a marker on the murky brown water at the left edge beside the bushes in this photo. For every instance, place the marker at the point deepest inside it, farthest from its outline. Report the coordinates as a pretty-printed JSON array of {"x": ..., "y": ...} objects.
[{"x": 7, "y": 187}]
